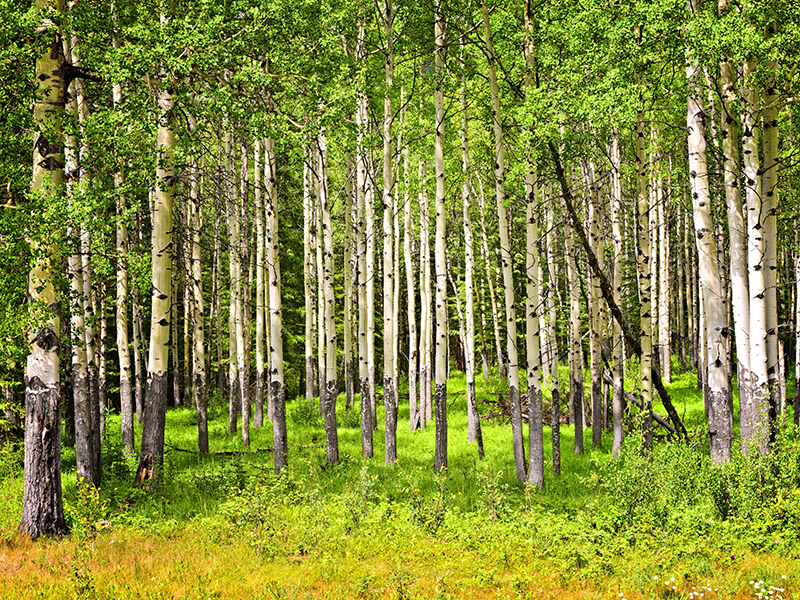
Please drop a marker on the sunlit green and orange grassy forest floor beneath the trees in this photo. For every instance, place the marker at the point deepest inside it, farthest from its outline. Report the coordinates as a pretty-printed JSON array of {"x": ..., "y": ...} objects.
[{"x": 222, "y": 526}]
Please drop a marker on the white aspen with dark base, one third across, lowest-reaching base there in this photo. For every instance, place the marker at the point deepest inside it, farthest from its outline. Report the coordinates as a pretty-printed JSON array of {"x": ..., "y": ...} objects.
[{"x": 276, "y": 389}]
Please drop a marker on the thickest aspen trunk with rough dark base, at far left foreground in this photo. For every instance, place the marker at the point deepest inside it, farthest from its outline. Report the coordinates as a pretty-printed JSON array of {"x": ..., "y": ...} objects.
[{"x": 42, "y": 508}]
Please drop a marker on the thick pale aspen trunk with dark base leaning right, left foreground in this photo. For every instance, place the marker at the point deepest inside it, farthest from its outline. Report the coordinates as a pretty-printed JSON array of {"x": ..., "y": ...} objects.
[{"x": 155, "y": 410}]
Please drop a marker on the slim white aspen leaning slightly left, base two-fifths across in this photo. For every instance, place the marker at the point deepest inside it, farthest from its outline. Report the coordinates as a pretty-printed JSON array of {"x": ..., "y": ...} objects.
[{"x": 330, "y": 392}]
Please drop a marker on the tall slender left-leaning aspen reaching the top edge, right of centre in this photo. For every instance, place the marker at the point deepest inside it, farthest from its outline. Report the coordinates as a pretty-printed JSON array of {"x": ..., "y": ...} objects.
[{"x": 505, "y": 254}]
